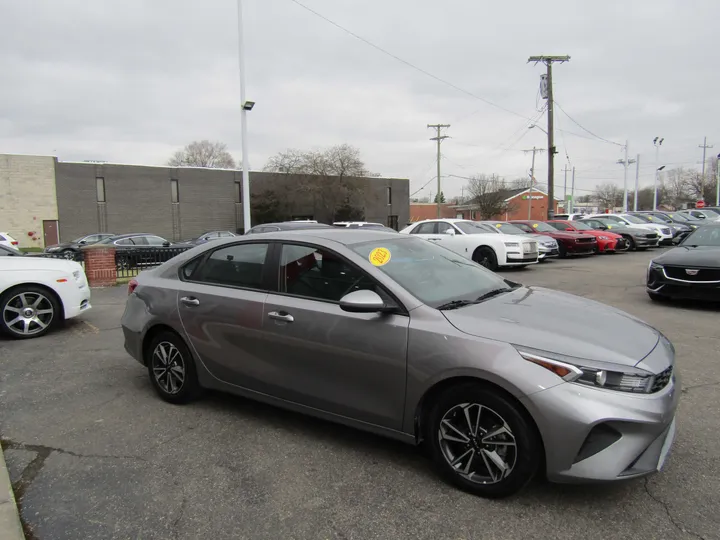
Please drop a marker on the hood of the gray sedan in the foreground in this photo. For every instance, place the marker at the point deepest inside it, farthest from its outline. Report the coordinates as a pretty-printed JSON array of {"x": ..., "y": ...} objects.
[{"x": 560, "y": 323}]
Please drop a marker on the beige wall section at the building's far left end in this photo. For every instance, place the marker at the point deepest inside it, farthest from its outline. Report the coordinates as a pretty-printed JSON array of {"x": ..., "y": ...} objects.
[{"x": 27, "y": 197}]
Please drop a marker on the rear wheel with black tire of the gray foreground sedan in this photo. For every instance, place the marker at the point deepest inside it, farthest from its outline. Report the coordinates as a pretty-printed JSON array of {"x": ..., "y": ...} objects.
[{"x": 166, "y": 378}]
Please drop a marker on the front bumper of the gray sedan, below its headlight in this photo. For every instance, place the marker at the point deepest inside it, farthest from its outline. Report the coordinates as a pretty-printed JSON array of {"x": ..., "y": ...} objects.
[{"x": 604, "y": 435}]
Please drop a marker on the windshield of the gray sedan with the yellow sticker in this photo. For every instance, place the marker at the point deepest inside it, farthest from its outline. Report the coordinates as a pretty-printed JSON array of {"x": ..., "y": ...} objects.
[{"x": 432, "y": 274}]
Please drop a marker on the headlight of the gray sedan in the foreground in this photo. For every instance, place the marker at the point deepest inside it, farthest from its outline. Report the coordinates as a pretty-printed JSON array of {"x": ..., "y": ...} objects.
[{"x": 590, "y": 373}]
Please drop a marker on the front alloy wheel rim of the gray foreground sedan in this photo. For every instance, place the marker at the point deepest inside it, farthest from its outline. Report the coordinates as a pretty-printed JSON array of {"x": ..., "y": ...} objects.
[{"x": 477, "y": 443}]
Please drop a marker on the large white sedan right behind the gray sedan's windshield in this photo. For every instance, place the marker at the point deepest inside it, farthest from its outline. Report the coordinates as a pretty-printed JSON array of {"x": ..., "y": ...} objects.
[{"x": 473, "y": 241}]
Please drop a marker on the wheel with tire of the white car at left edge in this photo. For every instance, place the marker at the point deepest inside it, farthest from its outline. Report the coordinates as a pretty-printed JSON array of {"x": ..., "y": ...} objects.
[{"x": 11, "y": 302}]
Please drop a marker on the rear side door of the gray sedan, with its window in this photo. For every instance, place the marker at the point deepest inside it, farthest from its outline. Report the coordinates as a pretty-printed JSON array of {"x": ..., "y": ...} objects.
[{"x": 221, "y": 308}]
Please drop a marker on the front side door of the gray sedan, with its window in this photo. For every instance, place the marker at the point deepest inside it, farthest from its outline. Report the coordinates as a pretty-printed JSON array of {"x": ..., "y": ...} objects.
[{"x": 317, "y": 355}]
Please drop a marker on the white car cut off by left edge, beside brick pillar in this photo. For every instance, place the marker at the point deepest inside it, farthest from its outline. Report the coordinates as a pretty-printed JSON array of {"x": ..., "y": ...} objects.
[{"x": 37, "y": 293}]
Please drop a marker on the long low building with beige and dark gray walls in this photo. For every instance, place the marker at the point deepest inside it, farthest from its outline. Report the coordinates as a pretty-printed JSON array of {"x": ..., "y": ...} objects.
[{"x": 176, "y": 203}]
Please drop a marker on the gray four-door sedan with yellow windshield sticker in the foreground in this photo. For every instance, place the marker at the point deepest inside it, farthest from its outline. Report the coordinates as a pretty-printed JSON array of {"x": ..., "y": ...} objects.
[{"x": 398, "y": 336}]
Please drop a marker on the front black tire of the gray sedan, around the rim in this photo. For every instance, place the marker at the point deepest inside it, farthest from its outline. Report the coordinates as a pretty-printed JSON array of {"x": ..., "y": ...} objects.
[{"x": 497, "y": 408}]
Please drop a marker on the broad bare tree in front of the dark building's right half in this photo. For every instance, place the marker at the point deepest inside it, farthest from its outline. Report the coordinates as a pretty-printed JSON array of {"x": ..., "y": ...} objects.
[{"x": 328, "y": 177}]
